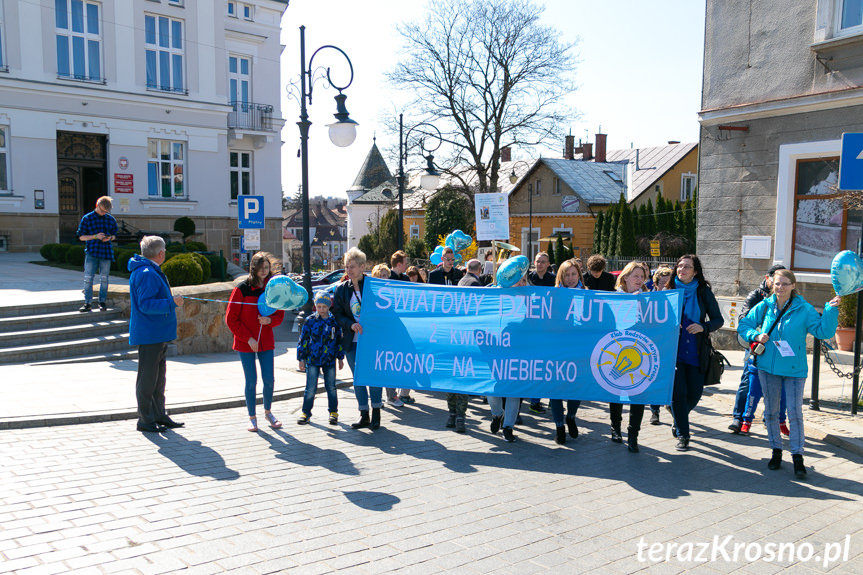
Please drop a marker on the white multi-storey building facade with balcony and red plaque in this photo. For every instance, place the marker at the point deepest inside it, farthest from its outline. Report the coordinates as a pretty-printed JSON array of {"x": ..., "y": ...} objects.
[{"x": 169, "y": 106}]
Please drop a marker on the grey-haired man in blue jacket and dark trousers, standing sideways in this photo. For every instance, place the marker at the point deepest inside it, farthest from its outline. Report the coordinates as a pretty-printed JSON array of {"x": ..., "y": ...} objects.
[{"x": 153, "y": 324}]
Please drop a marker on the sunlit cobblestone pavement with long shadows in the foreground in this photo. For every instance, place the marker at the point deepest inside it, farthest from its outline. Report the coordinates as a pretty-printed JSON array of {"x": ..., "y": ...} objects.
[{"x": 414, "y": 497}]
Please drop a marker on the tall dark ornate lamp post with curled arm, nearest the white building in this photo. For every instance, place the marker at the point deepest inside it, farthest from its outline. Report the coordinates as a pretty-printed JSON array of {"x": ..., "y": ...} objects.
[{"x": 342, "y": 133}]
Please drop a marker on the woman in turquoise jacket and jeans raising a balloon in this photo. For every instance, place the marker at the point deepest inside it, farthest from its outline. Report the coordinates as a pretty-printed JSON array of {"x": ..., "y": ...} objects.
[{"x": 783, "y": 363}]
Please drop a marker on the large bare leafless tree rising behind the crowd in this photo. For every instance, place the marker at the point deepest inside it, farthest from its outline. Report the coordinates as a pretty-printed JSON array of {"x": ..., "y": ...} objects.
[{"x": 488, "y": 74}]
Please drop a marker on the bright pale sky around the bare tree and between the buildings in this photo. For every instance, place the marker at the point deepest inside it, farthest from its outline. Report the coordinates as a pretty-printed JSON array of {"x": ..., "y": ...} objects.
[{"x": 639, "y": 76}]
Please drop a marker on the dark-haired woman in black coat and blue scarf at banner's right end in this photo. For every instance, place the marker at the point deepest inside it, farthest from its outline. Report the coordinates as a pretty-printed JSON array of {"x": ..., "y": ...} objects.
[{"x": 701, "y": 316}]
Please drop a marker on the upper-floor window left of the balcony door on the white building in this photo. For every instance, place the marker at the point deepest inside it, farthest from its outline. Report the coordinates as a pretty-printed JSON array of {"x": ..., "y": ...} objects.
[{"x": 163, "y": 39}]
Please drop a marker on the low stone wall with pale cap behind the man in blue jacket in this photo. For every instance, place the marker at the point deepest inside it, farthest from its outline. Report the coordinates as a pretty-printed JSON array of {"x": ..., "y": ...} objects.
[{"x": 200, "y": 324}]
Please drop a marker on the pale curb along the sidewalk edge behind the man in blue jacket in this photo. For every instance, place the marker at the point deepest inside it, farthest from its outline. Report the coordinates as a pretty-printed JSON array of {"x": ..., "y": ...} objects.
[{"x": 30, "y": 422}]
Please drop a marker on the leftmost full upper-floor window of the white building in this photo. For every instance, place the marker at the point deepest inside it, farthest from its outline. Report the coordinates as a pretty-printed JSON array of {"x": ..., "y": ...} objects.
[{"x": 79, "y": 39}]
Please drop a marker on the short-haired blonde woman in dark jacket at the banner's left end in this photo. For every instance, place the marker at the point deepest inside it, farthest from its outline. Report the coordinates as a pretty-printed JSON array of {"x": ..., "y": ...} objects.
[{"x": 347, "y": 304}]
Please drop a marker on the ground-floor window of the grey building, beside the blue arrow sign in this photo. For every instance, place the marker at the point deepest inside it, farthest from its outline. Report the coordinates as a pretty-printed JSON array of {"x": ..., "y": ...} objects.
[{"x": 823, "y": 224}]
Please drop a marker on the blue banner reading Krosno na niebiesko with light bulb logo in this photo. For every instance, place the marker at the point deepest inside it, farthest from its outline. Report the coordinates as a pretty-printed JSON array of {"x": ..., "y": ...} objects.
[{"x": 554, "y": 343}]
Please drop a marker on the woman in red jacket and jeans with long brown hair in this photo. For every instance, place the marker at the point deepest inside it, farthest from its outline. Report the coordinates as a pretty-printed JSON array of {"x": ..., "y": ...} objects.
[{"x": 253, "y": 335}]
